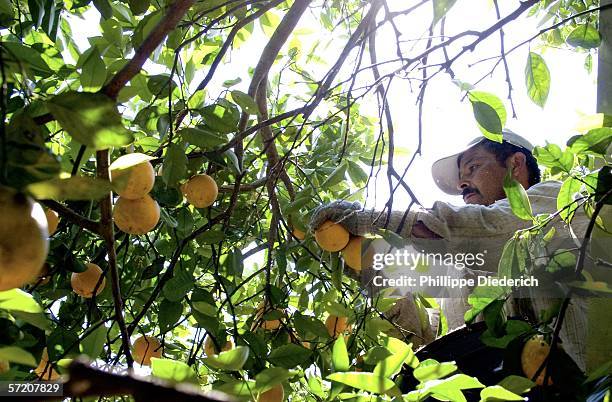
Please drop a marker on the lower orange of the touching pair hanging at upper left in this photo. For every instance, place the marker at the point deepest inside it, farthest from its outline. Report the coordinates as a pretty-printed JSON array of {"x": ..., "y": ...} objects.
[{"x": 138, "y": 216}]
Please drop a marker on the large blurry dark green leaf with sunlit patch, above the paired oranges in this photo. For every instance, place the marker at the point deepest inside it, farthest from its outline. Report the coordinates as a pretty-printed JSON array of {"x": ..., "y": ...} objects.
[{"x": 90, "y": 118}]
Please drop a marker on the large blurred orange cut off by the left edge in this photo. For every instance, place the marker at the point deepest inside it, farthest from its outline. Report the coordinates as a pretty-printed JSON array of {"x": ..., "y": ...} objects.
[{"x": 24, "y": 242}]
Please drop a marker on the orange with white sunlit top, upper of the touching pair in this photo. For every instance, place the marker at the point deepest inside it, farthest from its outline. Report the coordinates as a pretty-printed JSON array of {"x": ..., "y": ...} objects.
[{"x": 135, "y": 173}]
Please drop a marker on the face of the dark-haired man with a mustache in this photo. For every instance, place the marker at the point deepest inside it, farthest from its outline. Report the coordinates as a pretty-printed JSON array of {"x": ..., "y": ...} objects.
[{"x": 481, "y": 177}]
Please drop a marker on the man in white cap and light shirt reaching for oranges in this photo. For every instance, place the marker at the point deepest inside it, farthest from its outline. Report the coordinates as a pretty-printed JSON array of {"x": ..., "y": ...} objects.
[{"x": 477, "y": 173}]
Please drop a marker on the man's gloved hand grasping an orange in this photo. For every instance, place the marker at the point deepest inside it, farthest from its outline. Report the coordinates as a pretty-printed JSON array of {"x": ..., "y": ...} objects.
[{"x": 348, "y": 214}]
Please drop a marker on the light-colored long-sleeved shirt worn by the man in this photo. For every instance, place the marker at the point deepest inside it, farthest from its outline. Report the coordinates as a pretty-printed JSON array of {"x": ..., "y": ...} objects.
[{"x": 476, "y": 227}]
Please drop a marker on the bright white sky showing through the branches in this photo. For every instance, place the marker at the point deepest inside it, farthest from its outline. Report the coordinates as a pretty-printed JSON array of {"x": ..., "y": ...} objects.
[{"x": 448, "y": 121}]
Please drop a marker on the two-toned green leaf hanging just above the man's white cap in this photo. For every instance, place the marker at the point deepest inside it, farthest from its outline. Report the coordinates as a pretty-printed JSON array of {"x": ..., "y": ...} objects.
[{"x": 490, "y": 114}]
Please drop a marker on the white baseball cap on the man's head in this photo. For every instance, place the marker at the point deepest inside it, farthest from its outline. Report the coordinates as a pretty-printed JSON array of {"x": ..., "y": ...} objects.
[{"x": 445, "y": 171}]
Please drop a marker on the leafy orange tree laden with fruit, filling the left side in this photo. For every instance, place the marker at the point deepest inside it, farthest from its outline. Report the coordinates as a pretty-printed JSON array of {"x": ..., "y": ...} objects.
[{"x": 254, "y": 112}]
